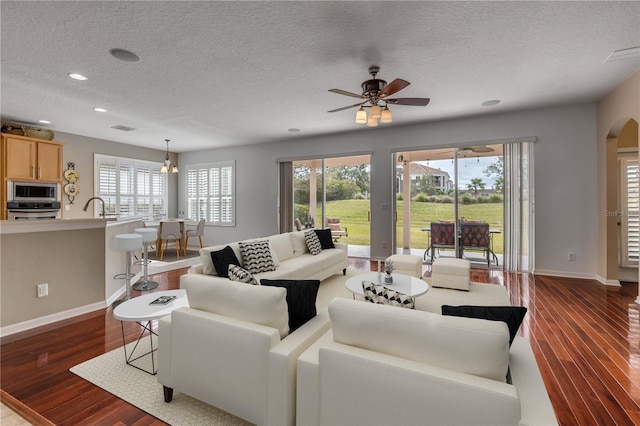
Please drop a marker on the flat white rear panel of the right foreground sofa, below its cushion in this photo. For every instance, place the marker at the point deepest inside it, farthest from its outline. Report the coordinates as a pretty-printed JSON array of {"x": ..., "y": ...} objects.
[{"x": 352, "y": 381}]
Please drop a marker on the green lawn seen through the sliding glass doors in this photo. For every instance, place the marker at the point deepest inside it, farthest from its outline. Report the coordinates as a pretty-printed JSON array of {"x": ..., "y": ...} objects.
[{"x": 353, "y": 215}]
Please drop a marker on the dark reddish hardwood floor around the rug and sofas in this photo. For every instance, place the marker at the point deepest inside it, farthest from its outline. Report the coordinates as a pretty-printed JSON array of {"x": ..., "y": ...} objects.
[{"x": 585, "y": 336}]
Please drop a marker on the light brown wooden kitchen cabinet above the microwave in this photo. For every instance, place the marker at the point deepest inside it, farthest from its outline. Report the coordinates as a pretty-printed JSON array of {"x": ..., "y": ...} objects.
[{"x": 32, "y": 159}]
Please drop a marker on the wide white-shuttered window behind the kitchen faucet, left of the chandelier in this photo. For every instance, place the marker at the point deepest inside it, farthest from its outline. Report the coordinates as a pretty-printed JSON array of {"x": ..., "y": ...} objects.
[{"x": 130, "y": 187}]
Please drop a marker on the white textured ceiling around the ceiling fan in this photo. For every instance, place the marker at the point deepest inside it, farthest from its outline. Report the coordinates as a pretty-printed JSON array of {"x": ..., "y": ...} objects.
[{"x": 215, "y": 74}]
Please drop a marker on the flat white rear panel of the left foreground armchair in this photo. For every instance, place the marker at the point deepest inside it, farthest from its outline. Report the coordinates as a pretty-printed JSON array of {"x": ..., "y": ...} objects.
[{"x": 208, "y": 348}]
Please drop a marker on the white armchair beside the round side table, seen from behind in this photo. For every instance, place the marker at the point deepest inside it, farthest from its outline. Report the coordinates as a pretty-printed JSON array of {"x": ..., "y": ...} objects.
[{"x": 230, "y": 349}]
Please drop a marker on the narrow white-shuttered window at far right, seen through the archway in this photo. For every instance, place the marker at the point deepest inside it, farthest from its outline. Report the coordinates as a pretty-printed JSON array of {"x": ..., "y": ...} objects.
[{"x": 628, "y": 216}]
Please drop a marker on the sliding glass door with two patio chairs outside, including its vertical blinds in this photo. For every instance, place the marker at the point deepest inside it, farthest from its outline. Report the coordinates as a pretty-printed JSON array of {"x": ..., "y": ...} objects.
[{"x": 454, "y": 202}]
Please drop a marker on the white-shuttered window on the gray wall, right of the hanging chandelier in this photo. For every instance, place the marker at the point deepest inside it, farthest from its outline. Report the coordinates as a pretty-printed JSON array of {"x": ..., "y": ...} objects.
[{"x": 210, "y": 193}]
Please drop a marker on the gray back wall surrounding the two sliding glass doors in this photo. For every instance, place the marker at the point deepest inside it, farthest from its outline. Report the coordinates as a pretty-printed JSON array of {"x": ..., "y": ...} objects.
[{"x": 565, "y": 177}]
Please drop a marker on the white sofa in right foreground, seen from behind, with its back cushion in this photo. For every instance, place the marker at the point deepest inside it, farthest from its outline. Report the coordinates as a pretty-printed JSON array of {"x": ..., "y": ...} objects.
[{"x": 382, "y": 365}]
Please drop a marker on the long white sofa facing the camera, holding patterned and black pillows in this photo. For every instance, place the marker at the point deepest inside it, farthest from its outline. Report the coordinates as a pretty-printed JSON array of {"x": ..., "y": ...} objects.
[{"x": 293, "y": 258}]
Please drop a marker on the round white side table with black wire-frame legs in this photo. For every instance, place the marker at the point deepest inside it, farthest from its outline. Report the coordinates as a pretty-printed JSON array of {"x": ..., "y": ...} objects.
[{"x": 140, "y": 310}]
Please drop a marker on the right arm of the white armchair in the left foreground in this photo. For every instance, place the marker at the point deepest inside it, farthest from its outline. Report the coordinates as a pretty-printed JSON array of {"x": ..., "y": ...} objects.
[{"x": 283, "y": 360}]
